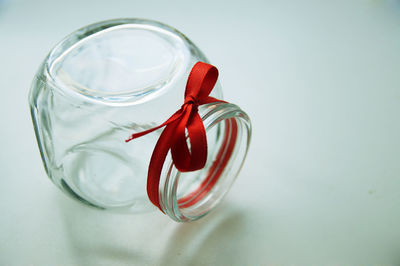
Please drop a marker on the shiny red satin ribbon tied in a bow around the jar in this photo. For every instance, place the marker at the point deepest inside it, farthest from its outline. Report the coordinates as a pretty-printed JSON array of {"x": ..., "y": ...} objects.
[{"x": 200, "y": 83}]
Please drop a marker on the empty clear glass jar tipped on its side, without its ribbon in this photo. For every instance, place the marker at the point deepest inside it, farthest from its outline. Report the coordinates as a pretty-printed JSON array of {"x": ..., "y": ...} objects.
[{"x": 114, "y": 78}]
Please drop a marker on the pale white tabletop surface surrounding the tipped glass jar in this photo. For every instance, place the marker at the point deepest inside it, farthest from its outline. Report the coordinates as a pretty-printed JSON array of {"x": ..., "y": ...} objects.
[{"x": 321, "y": 185}]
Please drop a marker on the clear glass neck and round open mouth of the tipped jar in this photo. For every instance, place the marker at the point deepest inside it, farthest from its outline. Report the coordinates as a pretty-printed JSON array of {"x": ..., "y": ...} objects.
[{"x": 189, "y": 196}]
